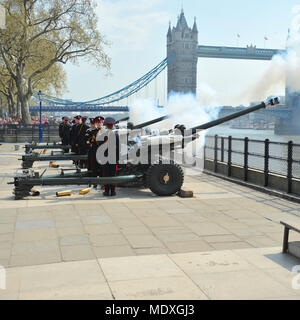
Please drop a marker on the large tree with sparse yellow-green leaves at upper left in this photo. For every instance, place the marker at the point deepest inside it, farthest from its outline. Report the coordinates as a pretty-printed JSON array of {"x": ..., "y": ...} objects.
[{"x": 41, "y": 34}]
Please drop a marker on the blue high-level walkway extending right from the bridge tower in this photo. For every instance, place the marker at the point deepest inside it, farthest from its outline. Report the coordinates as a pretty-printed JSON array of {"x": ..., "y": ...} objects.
[{"x": 248, "y": 53}]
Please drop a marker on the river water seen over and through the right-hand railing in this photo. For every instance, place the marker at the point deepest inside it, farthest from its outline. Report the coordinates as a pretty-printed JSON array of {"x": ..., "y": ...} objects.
[{"x": 257, "y": 161}]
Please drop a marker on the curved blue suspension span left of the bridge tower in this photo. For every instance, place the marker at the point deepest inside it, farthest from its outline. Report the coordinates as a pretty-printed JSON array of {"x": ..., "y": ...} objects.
[{"x": 119, "y": 95}]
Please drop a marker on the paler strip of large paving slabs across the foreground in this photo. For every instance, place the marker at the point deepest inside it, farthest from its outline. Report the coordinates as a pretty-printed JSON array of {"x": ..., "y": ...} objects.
[{"x": 227, "y": 274}]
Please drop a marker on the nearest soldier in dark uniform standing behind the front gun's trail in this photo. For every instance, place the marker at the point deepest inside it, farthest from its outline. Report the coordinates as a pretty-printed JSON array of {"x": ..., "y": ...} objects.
[{"x": 109, "y": 140}]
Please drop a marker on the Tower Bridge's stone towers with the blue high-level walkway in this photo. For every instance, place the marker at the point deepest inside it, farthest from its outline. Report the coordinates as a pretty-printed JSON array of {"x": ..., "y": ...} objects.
[{"x": 182, "y": 42}]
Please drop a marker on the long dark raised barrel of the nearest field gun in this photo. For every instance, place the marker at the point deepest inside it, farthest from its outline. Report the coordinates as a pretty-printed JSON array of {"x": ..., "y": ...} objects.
[{"x": 208, "y": 125}]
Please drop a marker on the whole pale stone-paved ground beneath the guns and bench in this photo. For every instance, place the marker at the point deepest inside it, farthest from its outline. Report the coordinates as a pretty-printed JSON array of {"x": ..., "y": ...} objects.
[{"x": 135, "y": 246}]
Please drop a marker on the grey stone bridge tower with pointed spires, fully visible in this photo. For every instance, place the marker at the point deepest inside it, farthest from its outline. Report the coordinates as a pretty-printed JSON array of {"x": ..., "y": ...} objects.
[{"x": 183, "y": 42}]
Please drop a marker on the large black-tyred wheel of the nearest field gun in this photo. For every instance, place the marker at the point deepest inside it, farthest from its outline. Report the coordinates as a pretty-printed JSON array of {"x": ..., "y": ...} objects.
[{"x": 164, "y": 179}]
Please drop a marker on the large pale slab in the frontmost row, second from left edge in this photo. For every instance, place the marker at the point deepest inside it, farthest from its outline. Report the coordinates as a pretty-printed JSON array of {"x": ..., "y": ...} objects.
[{"x": 71, "y": 280}]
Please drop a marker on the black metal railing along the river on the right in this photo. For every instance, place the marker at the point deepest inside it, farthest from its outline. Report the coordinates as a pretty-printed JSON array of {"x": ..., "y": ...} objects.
[{"x": 280, "y": 158}]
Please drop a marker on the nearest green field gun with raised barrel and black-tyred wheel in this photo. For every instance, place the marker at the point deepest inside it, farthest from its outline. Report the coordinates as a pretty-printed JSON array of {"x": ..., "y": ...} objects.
[{"x": 163, "y": 179}]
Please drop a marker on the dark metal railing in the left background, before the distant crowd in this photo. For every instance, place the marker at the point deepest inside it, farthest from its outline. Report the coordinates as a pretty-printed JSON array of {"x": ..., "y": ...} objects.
[{"x": 18, "y": 132}]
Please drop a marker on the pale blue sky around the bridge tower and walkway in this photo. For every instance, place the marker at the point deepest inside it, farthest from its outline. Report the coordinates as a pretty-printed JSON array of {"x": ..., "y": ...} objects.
[{"x": 137, "y": 32}]
